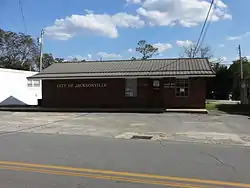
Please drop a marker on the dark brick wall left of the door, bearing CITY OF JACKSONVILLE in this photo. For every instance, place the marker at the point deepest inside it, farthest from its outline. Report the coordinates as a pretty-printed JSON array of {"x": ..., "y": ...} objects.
[{"x": 111, "y": 96}]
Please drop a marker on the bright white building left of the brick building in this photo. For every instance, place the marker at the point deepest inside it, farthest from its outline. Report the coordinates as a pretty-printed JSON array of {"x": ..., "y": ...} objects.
[{"x": 15, "y": 89}]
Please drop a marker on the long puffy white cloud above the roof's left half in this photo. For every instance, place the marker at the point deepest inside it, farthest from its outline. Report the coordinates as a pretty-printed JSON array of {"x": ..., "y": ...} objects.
[{"x": 92, "y": 24}]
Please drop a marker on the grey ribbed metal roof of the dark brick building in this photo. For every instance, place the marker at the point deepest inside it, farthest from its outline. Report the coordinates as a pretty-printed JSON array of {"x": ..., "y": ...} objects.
[{"x": 197, "y": 67}]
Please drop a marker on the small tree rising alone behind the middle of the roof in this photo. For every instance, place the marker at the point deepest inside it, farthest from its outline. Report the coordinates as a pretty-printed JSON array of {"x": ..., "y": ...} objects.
[{"x": 146, "y": 50}]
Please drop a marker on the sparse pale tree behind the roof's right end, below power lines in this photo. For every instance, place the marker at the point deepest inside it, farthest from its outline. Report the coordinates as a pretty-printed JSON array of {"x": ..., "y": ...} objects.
[{"x": 190, "y": 51}]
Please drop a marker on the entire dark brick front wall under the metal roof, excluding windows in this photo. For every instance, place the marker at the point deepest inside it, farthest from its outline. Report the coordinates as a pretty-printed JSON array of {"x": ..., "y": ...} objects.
[{"x": 63, "y": 93}]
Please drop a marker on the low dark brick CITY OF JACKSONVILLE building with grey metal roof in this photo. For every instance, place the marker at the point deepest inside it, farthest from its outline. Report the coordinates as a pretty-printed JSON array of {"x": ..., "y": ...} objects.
[{"x": 154, "y": 83}]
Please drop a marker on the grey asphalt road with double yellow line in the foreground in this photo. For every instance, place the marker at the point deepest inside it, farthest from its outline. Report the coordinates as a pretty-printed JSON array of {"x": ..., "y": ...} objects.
[{"x": 61, "y": 161}]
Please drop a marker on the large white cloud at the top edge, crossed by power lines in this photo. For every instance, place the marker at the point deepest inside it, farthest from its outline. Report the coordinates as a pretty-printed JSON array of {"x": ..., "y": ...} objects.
[{"x": 183, "y": 12}]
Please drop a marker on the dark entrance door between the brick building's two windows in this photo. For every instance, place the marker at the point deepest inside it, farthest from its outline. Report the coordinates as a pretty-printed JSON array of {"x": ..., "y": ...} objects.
[{"x": 156, "y": 94}]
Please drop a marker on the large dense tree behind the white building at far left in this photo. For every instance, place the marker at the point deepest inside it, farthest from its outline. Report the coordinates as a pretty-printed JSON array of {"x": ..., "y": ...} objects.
[{"x": 17, "y": 50}]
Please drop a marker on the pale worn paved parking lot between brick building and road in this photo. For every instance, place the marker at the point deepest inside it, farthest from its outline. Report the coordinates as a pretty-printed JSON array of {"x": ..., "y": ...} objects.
[{"x": 115, "y": 125}]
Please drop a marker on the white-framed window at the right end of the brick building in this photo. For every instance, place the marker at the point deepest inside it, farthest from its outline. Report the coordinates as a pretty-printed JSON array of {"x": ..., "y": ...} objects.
[{"x": 182, "y": 88}]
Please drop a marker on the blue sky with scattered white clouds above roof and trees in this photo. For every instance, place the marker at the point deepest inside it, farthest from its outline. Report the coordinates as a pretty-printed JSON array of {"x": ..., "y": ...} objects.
[{"x": 110, "y": 29}]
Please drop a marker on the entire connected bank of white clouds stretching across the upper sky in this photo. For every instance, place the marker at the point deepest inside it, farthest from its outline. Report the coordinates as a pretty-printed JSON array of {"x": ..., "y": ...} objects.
[{"x": 153, "y": 12}]
